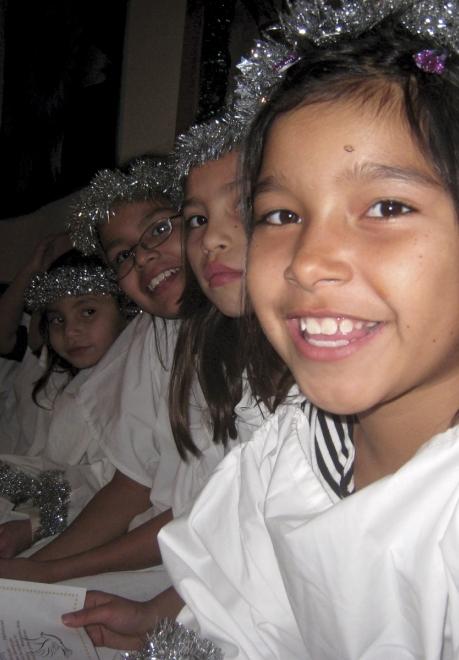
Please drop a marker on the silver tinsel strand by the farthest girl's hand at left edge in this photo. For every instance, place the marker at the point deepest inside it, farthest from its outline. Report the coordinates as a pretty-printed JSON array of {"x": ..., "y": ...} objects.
[{"x": 49, "y": 492}]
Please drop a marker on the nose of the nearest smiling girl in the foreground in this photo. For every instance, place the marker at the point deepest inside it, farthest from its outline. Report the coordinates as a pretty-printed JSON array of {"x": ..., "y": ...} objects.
[{"x": 320, "y": 258}]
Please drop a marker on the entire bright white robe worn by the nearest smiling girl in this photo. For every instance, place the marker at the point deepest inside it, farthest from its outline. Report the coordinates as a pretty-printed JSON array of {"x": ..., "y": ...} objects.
[{"x": 272, "y": 566}]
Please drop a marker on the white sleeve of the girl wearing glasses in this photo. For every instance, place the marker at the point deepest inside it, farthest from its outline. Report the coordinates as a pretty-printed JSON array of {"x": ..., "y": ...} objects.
[{"x": 125, "y": 400}]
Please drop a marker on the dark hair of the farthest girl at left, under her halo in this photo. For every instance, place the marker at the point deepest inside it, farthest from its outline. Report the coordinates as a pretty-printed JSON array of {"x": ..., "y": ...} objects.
[{"x": 55, "y": 363}]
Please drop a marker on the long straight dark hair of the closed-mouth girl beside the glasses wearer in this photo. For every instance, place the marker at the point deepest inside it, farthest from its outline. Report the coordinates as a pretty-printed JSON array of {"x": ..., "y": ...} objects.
[{"x": 208, "y": 346}]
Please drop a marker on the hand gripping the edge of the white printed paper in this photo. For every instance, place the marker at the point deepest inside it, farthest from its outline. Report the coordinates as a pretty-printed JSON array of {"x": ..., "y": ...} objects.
[{"x": 113, "y": 621}]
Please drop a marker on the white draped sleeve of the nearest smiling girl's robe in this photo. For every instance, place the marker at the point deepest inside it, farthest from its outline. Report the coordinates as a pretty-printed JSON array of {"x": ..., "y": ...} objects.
[{"x": 222, "y": 562}]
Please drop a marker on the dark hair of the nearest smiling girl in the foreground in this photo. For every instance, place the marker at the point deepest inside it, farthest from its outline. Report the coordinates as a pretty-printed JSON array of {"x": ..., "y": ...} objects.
[{"x": 376, "y": 67}]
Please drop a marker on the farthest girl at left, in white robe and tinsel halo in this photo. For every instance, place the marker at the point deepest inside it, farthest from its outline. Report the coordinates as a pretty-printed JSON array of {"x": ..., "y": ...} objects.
[{"x": 82, "y": 312}]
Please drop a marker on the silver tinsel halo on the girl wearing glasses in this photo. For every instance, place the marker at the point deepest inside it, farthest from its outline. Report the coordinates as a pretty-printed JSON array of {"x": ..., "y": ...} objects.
[{"x": 144, "y": 180}]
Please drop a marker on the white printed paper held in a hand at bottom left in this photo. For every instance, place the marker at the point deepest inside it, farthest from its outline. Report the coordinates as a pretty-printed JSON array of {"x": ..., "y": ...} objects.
[{"x": 30, "y": 622}]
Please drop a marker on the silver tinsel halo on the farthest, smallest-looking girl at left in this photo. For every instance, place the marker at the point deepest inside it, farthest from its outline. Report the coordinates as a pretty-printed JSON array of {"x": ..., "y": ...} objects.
[{"x": 65, "y": 281}]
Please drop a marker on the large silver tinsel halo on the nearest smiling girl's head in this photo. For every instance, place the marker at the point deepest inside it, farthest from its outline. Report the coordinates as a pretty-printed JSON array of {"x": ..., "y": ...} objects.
[{"x": 319, "y": 23}]
